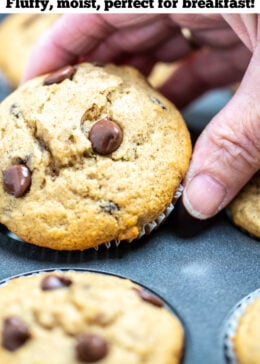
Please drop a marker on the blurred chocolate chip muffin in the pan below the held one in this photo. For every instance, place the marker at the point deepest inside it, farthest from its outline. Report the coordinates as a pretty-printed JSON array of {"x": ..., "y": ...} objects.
[{"x": 73, "y": 317}]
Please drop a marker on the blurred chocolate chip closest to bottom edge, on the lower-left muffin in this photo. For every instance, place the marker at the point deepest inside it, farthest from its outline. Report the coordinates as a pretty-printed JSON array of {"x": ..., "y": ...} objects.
[{"x": 91, "y": 348}]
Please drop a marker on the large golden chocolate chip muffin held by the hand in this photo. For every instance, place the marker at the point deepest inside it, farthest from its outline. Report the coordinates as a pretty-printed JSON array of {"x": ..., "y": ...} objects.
[{"x": 90, "y": 154}]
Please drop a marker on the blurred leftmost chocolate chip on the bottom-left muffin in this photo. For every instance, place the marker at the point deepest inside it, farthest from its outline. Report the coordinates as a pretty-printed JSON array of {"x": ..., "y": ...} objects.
[{"x": 15, "y": 333}]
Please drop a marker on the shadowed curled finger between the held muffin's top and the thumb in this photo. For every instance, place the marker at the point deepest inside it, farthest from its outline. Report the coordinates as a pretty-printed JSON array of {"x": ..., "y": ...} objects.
[{"x": 205, "y": 70}]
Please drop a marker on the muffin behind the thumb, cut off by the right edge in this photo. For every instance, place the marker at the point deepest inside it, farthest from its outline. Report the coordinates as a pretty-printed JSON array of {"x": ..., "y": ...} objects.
[{"x": 245, "y": 208}]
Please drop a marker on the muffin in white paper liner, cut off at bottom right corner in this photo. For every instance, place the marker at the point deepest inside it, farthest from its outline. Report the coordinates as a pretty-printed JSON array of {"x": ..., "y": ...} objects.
[{"x": 243, "y": 331}]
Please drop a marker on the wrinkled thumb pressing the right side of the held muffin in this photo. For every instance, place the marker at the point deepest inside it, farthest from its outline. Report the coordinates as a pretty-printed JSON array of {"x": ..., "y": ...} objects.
[{"x": 227, "y": 153}]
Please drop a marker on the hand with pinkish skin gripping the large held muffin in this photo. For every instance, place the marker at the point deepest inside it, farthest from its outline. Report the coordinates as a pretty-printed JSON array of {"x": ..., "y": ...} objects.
[{"x": 227, "y": 153}]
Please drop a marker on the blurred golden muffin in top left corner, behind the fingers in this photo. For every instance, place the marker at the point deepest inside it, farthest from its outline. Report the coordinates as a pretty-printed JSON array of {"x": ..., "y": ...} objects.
[{"x": 18, "y": 35}]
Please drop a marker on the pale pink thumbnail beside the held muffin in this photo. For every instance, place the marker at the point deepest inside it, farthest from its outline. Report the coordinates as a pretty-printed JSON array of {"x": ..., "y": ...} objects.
[{"x": 203, "y": 196}]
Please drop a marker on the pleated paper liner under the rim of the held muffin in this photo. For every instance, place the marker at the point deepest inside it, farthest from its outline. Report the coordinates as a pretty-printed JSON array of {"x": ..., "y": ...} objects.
[{"x": 147, "y": 228}]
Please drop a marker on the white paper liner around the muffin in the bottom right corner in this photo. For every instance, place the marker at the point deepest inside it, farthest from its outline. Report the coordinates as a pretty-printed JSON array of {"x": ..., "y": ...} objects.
[{"x": 232, "y": 324}]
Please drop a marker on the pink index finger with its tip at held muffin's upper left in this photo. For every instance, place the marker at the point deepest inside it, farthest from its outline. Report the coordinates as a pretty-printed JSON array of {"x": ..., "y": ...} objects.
[{"x": 74, "y": 35}]
